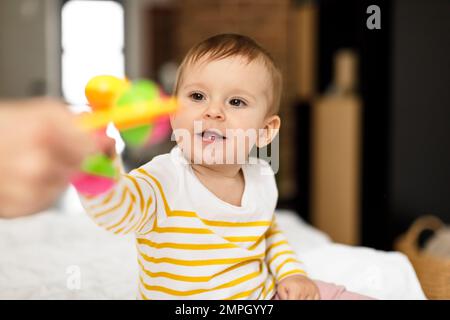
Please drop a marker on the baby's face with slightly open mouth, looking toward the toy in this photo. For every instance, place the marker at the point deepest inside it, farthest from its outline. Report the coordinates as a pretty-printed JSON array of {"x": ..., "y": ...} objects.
[{"x": 223, "y": 108}]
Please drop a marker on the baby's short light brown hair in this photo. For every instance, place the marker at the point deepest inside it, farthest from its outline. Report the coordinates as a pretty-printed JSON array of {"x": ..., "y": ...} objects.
[{"x": 230, "y": 45}]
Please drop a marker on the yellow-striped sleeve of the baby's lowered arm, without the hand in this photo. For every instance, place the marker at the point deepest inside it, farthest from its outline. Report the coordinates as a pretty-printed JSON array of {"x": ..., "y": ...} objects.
[{"x": 280, "y": 257}]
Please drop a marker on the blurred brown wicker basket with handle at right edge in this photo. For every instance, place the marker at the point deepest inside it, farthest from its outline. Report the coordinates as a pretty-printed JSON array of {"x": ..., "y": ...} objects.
[{"x": 433, "y": 271}]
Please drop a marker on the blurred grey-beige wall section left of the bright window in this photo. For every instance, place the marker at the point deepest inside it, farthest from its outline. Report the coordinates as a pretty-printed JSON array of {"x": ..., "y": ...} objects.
[{"x": 29, "y": 42}]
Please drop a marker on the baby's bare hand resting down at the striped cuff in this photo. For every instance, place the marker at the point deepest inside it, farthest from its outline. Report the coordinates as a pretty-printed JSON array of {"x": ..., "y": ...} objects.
[{"x": 297, "y": 287}]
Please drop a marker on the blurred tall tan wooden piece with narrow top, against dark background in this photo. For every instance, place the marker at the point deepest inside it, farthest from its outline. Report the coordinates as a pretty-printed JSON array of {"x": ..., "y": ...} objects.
[{"x": 335, "y": 162}]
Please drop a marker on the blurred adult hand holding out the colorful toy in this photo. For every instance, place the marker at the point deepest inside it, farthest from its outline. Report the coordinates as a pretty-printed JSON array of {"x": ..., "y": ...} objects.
[{"x": 40, "y": 148}]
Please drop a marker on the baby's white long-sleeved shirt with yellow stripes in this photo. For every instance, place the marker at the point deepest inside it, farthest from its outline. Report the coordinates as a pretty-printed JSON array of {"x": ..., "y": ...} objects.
[{"x": 191, "y": 244}]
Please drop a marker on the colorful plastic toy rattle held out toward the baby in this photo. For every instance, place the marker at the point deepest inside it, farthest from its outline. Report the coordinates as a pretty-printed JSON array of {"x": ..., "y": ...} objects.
[{"x": 139, "y": 110}]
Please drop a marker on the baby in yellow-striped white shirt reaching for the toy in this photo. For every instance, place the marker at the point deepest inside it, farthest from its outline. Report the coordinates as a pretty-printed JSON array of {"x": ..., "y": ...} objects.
[{"x": 203, "y": 215}]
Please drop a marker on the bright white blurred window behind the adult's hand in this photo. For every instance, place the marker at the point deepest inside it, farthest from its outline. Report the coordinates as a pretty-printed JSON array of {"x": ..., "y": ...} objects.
[{"x": 92, "y": 44}]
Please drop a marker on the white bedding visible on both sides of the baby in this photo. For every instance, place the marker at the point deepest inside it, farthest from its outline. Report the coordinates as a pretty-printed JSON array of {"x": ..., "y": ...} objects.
[{"x": 61, "y": 254}]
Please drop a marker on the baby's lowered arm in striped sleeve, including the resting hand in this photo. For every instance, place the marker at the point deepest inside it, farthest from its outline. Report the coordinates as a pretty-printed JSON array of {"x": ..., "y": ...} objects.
[{"x": 290, "y": 276}]
